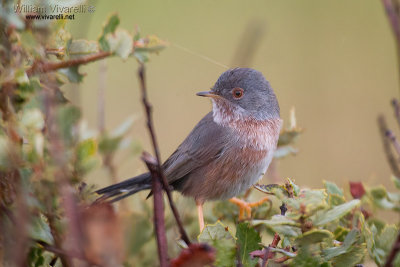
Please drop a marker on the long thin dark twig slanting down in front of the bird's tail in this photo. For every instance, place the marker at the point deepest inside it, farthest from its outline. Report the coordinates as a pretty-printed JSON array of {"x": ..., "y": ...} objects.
[{"x": 147, "y": 107}]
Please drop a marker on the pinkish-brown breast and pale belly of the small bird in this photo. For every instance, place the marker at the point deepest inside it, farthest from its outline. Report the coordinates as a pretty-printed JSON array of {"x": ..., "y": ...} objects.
[{"x": 244, "y": 160}]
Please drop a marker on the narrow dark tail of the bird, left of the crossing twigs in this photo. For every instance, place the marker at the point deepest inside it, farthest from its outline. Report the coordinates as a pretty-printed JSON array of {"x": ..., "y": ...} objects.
[{"x": 125, "y": 188}]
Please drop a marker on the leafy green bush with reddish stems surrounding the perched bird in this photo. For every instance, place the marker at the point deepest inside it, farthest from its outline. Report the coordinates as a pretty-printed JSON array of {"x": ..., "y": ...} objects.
[{"x": 46, "y": 151}]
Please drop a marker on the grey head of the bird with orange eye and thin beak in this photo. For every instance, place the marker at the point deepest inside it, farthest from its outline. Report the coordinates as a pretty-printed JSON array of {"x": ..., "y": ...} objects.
[{"x": 244, "y": 91}]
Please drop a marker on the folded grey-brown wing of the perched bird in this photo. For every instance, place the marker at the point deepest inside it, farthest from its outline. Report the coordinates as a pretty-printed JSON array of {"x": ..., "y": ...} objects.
[{"x": 206, "y": 142}]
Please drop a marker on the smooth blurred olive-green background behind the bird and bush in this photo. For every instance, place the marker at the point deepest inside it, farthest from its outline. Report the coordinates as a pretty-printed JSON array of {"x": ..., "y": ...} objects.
[{"x": 334, "y": 61}]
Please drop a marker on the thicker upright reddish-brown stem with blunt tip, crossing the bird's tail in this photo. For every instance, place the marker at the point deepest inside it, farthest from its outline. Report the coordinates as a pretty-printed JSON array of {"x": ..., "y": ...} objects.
[{"x": 159, "y": 222}]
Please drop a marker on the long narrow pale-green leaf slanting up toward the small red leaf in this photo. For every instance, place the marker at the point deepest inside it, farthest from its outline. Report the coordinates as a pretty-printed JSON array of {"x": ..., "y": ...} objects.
[{"x": 327, "y": 216}]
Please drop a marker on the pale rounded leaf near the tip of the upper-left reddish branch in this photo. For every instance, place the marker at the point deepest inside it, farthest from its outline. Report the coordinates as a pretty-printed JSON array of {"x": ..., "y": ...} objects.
[{"x": 121, "y": 43}]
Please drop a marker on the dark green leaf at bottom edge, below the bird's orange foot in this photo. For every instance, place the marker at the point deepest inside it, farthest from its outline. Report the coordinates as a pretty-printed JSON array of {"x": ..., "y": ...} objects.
[{"x": 248, "y": 240}]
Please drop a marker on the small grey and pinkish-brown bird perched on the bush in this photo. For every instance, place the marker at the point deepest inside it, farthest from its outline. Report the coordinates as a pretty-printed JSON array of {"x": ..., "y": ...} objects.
[{"x": 228, "y": 151}]
